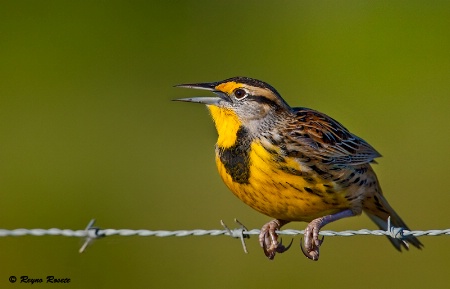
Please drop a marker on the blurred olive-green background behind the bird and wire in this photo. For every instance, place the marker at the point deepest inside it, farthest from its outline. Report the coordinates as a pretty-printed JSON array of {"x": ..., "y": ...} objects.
[{"x": 87, "y": 130}]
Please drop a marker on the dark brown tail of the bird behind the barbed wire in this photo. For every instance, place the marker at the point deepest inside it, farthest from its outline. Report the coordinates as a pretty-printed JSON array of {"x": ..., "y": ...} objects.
[{"x": 378, "y": 211}]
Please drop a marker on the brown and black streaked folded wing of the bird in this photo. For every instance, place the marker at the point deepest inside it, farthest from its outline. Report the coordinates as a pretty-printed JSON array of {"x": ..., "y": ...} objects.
[{"x": 320, "y": 136}]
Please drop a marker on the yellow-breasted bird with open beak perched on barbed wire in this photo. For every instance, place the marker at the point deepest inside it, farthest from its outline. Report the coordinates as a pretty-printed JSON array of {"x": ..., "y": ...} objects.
[{"x": 293, "y": 163}]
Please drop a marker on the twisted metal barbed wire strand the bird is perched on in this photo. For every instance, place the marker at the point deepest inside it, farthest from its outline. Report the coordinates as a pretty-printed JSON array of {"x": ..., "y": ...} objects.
[{"x": 91, "y": 233}]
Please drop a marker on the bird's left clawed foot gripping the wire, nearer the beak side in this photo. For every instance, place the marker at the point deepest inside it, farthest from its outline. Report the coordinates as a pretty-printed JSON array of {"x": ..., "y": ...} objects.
[{"x": 268, "y": 239}]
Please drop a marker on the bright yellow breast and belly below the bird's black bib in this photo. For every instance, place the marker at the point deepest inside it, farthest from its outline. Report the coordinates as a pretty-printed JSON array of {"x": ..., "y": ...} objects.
[{"x": 283, "y": 189}]
